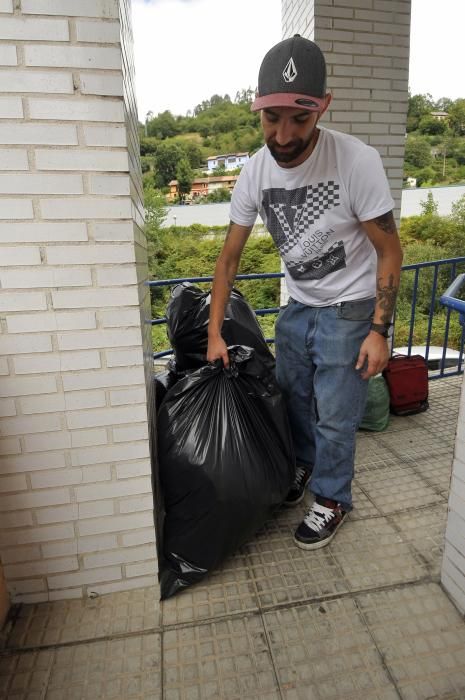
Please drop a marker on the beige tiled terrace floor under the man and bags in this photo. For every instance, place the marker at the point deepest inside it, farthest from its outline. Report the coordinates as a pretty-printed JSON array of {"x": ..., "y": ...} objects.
[{"x": 363, "y": 619}]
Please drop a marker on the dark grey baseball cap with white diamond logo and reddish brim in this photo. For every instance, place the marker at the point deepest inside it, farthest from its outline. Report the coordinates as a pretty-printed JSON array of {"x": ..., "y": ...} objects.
[{"x": 292, "y": 74}]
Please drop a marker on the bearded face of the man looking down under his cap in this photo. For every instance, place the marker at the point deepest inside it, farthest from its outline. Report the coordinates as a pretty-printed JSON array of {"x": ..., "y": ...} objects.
[{"x": 289, "y": 133}]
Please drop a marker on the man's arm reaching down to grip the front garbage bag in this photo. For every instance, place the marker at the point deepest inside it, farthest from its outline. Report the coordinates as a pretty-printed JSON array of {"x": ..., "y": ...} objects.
[{"x": 225, "y": 273}]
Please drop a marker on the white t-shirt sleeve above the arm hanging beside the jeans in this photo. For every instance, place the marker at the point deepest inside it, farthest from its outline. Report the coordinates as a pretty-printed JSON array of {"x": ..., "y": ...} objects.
[{"x": 369, "y": 191}]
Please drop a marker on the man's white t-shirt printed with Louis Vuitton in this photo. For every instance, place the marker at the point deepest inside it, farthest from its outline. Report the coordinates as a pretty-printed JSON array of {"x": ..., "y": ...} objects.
[{"x": 313, "y": 212}]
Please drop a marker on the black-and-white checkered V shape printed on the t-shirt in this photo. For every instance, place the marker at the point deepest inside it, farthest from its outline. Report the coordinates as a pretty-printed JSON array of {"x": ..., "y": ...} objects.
[{"x": 320, "y": 198}]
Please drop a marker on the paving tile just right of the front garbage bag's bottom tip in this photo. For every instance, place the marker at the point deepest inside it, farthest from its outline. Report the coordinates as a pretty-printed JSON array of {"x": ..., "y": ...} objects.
[{"x": 225, "y": 591}]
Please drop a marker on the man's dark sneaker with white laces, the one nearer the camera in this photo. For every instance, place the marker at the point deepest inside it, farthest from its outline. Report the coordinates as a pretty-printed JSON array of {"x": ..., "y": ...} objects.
[{"x": 320, "y": 524}]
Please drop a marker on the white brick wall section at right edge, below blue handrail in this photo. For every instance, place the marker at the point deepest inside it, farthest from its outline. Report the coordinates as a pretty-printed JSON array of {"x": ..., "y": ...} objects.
[{"x": 453, "y": 565}]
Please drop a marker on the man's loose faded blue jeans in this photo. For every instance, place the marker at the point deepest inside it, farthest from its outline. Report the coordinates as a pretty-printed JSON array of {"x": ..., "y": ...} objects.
[{"x": 316, "y": 353}]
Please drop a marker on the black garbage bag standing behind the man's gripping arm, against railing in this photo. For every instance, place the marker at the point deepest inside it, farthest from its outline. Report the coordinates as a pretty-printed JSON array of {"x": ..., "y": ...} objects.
[{"x": 187, "y": 315}]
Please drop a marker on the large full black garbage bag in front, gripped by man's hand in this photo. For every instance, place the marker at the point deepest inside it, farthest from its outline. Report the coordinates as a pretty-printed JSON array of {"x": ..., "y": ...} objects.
[{"x": 226, "y": 463}]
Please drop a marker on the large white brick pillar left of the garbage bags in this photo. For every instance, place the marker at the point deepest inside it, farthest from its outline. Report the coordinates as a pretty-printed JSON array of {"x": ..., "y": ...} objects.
[{"x": 76, "y": 507}]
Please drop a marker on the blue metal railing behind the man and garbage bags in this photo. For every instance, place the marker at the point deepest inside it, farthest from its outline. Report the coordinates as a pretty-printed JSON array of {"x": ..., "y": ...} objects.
[{"x": 417, "y": 272}]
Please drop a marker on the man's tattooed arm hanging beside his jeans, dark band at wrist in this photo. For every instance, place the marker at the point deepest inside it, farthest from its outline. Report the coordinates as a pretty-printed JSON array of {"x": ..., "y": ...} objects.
[{"x": 382, "y": 232}]
